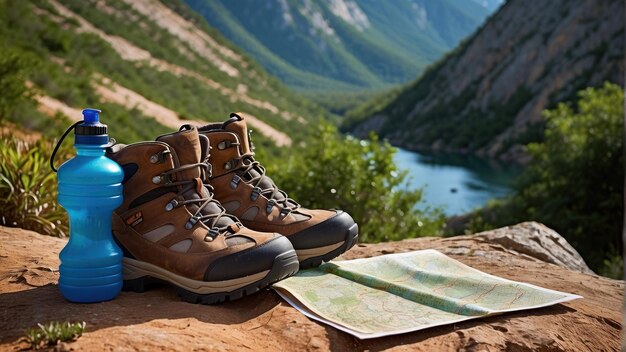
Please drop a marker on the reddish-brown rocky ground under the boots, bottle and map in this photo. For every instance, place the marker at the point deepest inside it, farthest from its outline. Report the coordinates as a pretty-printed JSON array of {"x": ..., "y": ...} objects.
[{"x": 159, "y": 320}]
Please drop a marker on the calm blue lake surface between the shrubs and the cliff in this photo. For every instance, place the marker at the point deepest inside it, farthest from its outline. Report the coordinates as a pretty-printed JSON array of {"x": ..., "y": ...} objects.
[{"x": 457, "y": 183}]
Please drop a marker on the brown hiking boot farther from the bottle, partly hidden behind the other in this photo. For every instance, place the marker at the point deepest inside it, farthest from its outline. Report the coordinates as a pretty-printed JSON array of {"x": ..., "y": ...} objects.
[{"x": 244, "y": 190}]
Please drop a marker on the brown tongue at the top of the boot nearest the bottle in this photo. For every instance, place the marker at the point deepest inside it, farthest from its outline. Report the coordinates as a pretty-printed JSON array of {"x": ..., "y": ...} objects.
[{"x": 186, "y": 145}]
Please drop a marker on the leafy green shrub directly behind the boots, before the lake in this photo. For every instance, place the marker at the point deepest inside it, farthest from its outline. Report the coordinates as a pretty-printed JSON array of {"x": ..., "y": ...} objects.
[{"x": 360, "y": 177}]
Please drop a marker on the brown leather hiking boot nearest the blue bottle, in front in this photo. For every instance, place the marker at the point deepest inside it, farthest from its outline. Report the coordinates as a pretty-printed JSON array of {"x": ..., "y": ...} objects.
[{"x": 171, "y": 229}]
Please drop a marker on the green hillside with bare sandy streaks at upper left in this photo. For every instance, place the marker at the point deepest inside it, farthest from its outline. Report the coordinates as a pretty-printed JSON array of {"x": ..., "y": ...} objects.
[{"x": 149, "y": 67}]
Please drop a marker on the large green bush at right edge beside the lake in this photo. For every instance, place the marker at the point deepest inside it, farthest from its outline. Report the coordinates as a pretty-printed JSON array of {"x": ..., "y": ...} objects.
[{"x": 575, "y": 182}]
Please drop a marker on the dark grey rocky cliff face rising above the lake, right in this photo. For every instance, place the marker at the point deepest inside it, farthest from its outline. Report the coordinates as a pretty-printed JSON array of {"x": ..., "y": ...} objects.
[{"x": 488, "y": 94}]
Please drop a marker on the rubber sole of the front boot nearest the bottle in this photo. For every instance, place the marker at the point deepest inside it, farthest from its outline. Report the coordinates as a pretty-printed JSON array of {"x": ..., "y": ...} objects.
[{"x": 285, "y": 264}]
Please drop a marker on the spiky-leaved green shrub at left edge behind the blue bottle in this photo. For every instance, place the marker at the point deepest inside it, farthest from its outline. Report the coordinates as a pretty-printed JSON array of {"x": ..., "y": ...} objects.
[{"x": 28, "y": 188}]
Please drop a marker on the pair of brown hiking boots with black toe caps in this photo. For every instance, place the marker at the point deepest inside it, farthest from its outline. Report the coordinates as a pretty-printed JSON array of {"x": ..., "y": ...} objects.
[{"x": 200, "y": 213}]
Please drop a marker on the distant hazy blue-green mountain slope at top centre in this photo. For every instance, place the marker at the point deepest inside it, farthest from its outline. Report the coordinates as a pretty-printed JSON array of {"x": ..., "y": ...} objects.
[{"x": 343, "y": 44}]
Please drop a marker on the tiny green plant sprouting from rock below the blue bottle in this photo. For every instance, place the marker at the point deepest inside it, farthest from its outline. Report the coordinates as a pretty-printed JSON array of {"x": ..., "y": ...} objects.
[{"x": 54, "y": 332}]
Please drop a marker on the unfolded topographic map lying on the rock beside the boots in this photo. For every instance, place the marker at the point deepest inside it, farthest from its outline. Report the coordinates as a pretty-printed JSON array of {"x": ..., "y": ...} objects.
[{"x": 397, "y": 293}]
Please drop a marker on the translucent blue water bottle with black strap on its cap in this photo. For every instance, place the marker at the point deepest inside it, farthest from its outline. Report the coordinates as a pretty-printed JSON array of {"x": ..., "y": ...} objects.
[{"x": 90, "y": 188}]
